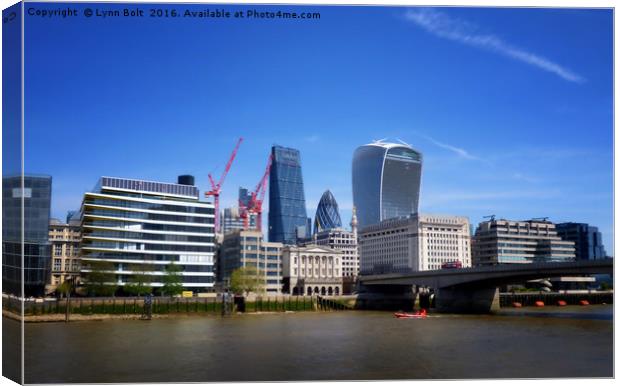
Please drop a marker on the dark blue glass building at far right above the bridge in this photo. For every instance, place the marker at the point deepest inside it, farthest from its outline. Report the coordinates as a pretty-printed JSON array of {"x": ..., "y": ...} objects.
[{"x": 588, "y": 240}]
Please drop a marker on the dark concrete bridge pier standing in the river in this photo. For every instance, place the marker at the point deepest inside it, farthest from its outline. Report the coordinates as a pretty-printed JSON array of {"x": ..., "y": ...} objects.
[{"x": 462, "y": 299}]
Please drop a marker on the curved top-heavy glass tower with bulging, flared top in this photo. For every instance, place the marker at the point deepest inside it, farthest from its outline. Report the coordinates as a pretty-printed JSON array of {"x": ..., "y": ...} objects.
[{"x": 386, "y": 181}]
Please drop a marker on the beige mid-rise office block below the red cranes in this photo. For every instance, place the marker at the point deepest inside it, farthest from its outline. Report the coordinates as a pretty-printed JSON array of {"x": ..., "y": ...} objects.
[{"x": 247, "y": 248}]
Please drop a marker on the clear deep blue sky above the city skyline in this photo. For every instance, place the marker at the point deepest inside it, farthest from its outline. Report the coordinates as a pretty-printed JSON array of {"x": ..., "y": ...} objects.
[{"x": 512, "y": 108}]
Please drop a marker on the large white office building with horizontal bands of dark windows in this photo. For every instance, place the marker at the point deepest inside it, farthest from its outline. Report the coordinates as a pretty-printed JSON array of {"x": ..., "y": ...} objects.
[{"x": 144, "y": 226}]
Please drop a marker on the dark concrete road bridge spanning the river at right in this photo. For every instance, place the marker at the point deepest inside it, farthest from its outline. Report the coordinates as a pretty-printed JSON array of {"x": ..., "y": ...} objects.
[{"x": 476, "y": 290}]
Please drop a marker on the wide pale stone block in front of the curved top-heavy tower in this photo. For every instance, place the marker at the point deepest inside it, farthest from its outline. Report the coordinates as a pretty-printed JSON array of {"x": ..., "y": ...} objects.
[{"x": 415, "y": 243}]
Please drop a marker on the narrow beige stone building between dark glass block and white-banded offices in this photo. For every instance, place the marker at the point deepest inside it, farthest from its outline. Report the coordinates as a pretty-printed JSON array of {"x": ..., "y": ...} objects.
[{"x": 65, "y": 239}]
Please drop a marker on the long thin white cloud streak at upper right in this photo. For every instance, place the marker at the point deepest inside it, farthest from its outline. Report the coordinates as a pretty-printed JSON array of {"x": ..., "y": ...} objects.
[{"x": 461, "y": 31}]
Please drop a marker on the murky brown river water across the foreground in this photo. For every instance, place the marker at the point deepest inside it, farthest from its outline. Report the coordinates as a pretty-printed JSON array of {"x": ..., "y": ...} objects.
[{"x": 524, "y": 343}]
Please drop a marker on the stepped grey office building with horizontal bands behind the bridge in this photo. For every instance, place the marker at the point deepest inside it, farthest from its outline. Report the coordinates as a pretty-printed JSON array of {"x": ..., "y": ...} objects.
[{"x": 518, "y": 242}]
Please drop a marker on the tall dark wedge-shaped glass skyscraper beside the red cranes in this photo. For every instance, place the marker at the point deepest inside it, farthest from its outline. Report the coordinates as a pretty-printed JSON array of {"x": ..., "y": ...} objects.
[{"x": 287, "y": 203}]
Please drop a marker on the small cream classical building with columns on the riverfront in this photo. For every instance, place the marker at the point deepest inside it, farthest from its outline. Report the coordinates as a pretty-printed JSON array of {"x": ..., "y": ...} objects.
[{"x": 312, "y": 270}]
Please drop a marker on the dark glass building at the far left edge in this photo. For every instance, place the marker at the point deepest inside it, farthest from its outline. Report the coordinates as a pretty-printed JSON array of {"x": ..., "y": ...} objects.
[{"x": 27, "y": 253}]
